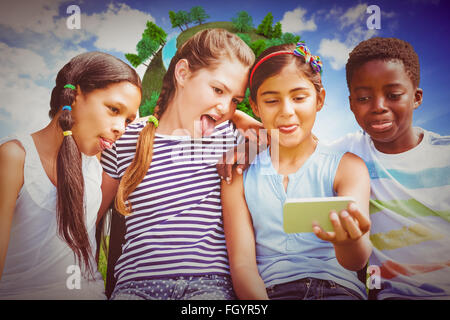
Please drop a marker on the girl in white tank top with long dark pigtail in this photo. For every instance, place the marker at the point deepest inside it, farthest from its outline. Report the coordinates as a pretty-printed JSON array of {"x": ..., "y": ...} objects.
[{"x": 50, "y": 182}]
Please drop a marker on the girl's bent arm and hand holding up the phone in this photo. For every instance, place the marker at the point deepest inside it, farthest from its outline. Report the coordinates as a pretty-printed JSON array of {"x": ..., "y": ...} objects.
[{"x": 351, "y": 227}]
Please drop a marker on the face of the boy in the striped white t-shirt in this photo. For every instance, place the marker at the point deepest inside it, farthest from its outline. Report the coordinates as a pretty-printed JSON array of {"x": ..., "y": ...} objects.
[{"x": 383, "y": 98}]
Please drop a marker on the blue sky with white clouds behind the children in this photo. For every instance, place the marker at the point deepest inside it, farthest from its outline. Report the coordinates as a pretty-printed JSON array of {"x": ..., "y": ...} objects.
[{"x": 35, "y": 43}]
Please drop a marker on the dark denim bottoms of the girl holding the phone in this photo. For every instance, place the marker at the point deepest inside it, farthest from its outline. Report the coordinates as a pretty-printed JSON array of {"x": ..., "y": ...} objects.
[{"x": 311, "y": 289}]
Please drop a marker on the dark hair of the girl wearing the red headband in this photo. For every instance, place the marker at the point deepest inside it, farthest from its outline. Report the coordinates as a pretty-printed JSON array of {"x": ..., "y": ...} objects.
[{"x": 274, "y": 65}]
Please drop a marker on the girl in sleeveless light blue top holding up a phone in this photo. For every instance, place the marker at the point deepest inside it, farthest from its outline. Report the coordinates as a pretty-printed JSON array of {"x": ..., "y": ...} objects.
[{"x": 286, "y": 92}]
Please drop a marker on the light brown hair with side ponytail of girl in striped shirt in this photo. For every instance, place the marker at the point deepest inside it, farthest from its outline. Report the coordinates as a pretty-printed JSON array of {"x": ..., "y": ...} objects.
[{"x": 206, "y": 49}]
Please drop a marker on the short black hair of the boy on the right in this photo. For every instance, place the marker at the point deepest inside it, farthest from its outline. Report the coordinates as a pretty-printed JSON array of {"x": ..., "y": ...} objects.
[{"x": 384, "y": 49}]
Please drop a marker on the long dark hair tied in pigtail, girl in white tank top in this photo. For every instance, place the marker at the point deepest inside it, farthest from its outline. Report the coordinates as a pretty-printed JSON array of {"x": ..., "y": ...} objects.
[{"x": 89, "y": 71}]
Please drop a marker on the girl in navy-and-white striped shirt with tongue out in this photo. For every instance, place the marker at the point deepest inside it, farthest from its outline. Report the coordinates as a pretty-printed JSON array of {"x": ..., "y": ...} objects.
[{"x": 169, "y": 188}]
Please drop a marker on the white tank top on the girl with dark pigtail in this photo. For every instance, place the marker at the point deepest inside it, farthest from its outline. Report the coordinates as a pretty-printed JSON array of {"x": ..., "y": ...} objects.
[{"x": 39, "y": 264}]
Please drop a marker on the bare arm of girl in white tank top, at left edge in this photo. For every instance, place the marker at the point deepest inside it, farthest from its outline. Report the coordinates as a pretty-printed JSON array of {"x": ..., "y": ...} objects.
[{"x": 12, "y": 159}]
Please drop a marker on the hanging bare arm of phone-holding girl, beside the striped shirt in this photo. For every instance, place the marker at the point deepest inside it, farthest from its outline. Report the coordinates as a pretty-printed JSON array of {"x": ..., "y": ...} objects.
[{"x": 240, "y": 241}]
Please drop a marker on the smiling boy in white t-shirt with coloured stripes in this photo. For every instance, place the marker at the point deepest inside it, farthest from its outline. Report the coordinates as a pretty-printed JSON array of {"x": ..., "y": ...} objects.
[{"x": 409, "y": 169}]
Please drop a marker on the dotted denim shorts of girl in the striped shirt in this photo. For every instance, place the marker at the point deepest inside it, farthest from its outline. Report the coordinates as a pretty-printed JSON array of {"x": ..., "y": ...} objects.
[{"x": 207, "y": 287}]
